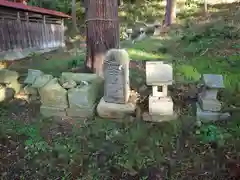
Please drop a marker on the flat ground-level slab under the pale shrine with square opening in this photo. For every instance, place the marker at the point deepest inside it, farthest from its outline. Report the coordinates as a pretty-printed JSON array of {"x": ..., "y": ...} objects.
[{"x": 158, "y": 118}]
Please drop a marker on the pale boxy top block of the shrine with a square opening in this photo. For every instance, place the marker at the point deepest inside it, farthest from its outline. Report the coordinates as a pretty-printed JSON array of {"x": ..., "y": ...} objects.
[{"x": 158, "y": 73}]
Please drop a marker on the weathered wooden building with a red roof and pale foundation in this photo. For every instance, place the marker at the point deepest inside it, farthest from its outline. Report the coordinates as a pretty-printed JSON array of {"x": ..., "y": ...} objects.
[{"x": 25, "y": 29}]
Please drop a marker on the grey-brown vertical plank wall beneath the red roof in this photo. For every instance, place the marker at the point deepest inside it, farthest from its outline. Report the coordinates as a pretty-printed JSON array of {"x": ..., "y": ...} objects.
[{"x": 22, "y": 30}]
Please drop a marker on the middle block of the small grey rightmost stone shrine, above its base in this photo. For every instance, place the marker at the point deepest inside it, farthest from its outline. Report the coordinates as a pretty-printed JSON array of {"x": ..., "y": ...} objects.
[{"x": 210, "y": 104}]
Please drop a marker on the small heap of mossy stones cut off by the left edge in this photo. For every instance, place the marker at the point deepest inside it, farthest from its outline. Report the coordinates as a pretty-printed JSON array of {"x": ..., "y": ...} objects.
[{"x": 9, "y": 84}]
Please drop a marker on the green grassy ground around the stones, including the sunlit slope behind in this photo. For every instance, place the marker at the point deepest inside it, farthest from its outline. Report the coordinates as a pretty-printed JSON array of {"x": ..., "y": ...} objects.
[{"x": 33, "y": 147}]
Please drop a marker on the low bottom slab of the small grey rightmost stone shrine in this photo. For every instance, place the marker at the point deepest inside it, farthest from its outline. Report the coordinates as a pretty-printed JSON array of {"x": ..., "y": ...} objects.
[{"x": 208, "y": 116}]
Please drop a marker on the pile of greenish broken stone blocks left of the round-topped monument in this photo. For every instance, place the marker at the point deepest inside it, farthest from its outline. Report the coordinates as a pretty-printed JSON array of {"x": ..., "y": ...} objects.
[{"x": 73, "y": 94}]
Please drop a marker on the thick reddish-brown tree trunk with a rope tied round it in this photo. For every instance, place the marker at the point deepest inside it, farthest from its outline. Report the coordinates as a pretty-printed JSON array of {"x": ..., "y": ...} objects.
[{"x": 102, "y": 32}]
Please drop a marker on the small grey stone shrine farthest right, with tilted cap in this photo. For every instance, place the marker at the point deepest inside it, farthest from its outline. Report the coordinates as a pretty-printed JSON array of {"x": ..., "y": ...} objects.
[{"x": 208, "y": 106}]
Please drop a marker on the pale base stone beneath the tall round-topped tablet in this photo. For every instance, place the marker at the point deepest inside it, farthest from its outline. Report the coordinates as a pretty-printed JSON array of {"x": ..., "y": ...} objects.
[{"x": 114, "y": 111}]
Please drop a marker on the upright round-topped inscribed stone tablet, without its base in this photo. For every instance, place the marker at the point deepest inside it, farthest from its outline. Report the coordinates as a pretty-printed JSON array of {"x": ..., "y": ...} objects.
[{"x": 116, "y": 76}]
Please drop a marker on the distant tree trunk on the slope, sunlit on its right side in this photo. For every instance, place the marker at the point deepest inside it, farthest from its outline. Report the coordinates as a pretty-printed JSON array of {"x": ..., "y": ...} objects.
[{"x": 170, "y": 13}]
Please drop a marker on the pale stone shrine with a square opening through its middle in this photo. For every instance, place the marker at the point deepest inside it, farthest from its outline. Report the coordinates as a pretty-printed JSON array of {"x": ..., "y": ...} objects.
[{"x": 159, "y": 75}]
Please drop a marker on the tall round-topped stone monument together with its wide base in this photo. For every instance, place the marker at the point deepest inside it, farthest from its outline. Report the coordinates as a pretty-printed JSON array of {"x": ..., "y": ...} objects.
[{"x": 115, "y": 102}]
